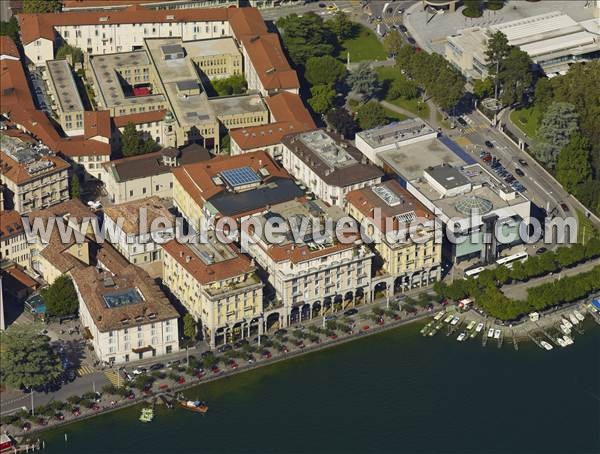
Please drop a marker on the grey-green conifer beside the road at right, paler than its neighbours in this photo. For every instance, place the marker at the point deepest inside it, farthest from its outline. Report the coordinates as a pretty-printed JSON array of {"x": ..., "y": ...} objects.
[{"x": 559, "y": 123}]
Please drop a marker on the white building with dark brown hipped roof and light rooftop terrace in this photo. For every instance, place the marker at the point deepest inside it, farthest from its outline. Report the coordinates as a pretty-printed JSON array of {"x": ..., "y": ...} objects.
[{"x": 327, "y": 165}]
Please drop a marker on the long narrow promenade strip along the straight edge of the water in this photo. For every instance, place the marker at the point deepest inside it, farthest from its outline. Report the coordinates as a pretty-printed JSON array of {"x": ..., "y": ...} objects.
[{"x": 374, "y": 330}]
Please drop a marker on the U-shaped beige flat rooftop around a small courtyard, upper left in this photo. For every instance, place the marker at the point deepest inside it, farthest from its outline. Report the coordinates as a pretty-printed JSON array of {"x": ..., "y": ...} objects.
[{"x": 106, "y": 68}]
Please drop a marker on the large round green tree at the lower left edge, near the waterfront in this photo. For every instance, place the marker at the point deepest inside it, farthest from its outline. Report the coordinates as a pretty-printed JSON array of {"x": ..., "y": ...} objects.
[{"x": 27, "y": 358}]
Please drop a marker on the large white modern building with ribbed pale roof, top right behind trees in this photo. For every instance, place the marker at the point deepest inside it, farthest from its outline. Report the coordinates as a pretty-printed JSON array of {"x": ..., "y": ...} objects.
[{"x": 552, "y": 40}]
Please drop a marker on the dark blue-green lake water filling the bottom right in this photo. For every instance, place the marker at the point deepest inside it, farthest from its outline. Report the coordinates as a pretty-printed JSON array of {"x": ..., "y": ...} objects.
[{"x": 394, "y": 392}]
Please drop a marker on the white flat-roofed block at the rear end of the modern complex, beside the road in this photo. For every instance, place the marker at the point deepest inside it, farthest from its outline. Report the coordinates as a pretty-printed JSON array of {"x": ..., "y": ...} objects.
[{"x": 391, "y": 136}]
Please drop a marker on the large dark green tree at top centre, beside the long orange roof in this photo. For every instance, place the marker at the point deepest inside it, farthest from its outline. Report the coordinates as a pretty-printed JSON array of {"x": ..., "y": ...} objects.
[{"x": 306, "y": 36}]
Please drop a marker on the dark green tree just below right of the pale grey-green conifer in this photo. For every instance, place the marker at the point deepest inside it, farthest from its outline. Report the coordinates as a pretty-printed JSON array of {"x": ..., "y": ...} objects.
[{"x": 573, "y": 165}]
